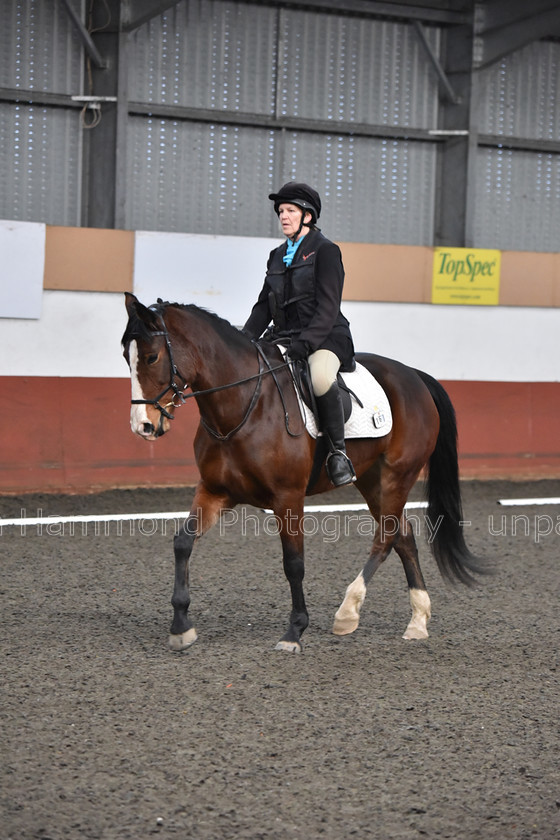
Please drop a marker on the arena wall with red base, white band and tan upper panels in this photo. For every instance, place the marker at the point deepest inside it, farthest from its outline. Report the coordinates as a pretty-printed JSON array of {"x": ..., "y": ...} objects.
[{"x": 64, "y": 387}]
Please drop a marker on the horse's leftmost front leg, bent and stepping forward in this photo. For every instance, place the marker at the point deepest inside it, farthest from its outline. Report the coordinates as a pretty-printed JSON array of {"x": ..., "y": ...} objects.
[{"x": 205, "y": 512}]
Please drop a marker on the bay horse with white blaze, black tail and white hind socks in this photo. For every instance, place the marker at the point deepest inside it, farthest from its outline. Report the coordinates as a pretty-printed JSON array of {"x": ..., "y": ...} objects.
[{"x": 251, "y": 447}]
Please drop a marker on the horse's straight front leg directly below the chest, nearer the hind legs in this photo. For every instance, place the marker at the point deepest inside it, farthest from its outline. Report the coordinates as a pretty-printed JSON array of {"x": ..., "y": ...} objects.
[{"x": 291, "y": 534}]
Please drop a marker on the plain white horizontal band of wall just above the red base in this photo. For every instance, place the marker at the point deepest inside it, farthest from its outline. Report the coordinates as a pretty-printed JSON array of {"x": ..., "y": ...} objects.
[{"x": 79, "y": 335}]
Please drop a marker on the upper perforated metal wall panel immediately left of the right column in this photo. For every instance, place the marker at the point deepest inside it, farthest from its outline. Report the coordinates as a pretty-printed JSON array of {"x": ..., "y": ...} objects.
[{"x": 356, "y": 70}]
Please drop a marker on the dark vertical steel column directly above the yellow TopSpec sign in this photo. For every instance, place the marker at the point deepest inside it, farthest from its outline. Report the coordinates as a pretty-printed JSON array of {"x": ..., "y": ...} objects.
[{"x": 457, "y": 153}]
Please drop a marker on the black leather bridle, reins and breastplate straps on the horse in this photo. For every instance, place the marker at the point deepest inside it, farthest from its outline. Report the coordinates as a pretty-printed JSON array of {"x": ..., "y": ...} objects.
[{"x": 179, "y": 397}]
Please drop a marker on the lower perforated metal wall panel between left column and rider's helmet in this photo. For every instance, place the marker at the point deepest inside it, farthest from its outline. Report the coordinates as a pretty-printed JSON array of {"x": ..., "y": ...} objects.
[{"x": 198, "y": 178}]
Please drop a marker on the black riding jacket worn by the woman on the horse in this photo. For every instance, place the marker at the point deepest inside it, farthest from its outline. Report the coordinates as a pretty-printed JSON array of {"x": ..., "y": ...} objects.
[{"x": 303, "y": 300}]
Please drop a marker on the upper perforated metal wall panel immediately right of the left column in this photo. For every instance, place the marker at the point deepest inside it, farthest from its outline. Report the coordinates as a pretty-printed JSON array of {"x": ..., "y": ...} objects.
[{"x": 207, "y": 54}]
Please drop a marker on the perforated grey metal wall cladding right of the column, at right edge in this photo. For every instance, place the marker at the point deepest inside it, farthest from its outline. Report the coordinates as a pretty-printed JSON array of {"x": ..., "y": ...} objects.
[{"x": 518, "y": 192}]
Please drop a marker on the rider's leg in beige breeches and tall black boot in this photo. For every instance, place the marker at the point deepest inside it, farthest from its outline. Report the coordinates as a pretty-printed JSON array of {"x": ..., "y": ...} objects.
[{"x": 323, "y": 368}]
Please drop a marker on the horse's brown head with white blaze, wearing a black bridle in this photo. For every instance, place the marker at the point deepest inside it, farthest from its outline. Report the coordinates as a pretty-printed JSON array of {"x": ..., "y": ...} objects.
[{"x": 156, "y": 383}]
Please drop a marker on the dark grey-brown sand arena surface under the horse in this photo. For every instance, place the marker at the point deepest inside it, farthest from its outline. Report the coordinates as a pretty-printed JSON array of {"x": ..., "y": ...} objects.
[{"x": 107, "y": 734}]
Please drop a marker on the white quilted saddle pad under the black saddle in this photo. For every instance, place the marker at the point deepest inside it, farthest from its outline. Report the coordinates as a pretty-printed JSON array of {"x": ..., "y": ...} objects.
[{"x": 373, "y": 420}]
